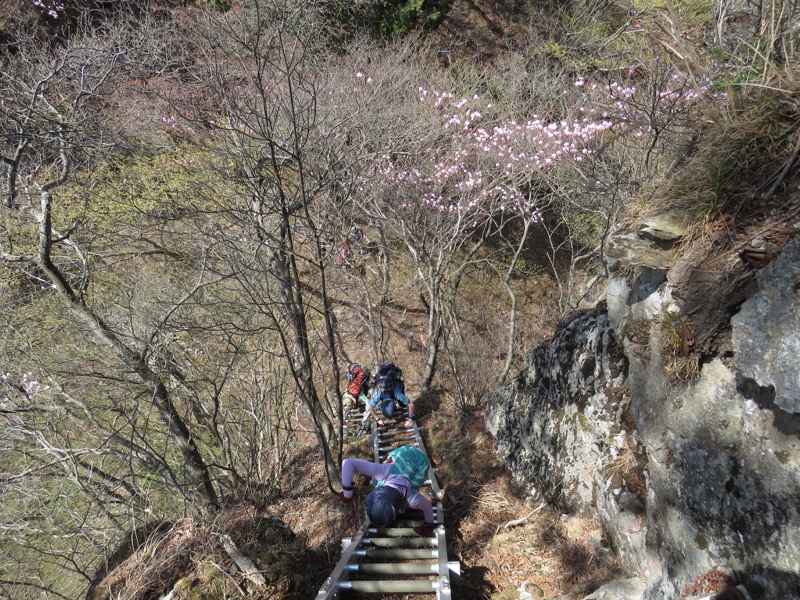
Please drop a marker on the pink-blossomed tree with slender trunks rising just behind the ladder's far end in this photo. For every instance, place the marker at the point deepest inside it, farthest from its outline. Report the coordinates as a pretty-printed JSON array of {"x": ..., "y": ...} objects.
[{"x": 472, "y": 170}]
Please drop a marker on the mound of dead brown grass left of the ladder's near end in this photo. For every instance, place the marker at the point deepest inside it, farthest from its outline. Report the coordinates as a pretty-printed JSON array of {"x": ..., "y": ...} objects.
[{"x": 293, "y": 543}]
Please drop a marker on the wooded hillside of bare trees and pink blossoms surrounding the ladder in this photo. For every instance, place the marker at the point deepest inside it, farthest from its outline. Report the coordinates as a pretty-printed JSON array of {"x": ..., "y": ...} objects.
[{"x": 180, "y": 181}]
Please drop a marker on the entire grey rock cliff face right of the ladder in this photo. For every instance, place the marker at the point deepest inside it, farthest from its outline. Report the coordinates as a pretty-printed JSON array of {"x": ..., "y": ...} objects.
[{"x": 673, "y": 417}]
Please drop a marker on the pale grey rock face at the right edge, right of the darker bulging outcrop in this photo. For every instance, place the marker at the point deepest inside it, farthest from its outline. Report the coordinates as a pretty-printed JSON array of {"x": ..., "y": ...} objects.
[{"x": 723, "y": 454}]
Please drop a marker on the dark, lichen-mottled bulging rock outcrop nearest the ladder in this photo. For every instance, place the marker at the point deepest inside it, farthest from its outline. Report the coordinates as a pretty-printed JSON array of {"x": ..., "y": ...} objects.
[{"x": 560, "y": 427}]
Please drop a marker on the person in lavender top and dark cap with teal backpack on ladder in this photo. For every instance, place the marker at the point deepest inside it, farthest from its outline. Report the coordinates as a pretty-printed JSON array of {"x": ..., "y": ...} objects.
[{"x": 397, "y": 484}]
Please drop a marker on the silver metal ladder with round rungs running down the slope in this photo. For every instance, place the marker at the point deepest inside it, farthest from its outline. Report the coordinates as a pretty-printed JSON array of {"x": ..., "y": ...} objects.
[{"x": 396, "y": 560}]
